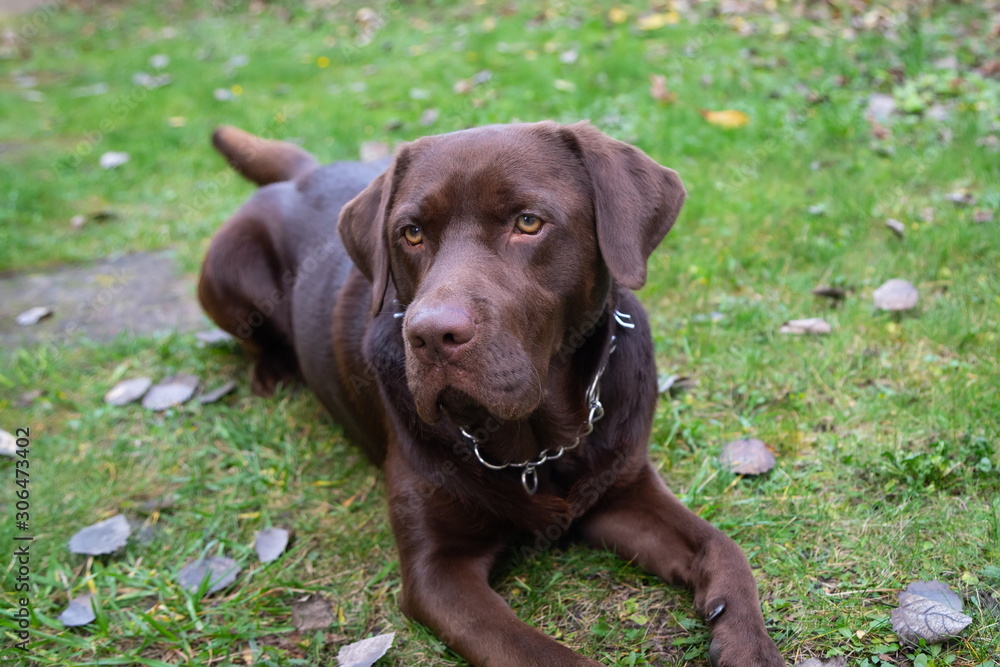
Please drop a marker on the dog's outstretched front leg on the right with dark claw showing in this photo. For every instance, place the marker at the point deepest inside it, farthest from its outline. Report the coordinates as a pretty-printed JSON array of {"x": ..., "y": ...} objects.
[{"x": 648, "y": 524}]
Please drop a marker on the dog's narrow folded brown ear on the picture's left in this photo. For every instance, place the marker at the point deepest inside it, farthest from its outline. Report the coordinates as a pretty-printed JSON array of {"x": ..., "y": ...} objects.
[{"x": 362, "y": 228}]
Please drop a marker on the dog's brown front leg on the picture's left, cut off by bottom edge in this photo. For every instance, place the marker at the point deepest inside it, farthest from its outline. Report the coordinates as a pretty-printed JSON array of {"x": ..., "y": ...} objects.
[{"x": 445, "y": 569}]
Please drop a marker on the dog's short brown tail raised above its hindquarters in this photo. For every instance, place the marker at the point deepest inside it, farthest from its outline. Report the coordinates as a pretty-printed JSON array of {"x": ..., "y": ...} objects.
[{"x": 261, "y": 161}]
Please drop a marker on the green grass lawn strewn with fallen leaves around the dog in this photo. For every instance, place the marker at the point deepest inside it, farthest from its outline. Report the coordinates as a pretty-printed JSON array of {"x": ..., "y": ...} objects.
[{"x": 886, "y": 431}]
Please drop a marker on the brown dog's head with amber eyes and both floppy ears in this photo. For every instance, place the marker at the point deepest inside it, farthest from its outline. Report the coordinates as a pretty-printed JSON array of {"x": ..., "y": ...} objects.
[{"x": 500, "y": 242}]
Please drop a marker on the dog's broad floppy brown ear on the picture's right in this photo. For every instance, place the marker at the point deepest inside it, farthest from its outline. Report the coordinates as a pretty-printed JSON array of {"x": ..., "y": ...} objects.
[{"x": 635, "y": 201}]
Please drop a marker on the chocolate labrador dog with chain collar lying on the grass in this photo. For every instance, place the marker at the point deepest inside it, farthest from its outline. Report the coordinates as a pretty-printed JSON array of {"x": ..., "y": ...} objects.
[{"x": 466, "y": 313}]
